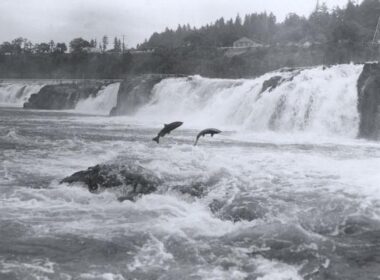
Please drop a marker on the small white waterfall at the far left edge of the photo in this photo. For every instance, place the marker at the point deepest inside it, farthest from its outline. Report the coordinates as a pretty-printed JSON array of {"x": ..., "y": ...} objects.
[{"x": 15, "y": 94}]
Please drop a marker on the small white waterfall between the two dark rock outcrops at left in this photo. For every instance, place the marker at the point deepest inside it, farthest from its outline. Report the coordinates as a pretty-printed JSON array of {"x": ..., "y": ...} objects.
[{"x": 102, "y": 103}]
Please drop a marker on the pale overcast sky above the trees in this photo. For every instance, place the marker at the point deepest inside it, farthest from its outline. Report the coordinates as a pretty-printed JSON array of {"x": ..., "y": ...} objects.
[{"x": 63, "y": 20}]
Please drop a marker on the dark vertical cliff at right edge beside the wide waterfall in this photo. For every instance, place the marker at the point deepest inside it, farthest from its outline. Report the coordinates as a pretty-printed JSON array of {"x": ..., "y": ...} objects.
[{"x": 369, "y": 101}]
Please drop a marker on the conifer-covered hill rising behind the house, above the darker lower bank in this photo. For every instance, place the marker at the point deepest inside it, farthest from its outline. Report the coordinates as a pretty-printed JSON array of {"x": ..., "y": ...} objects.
[{"x": 354, "y": 24}]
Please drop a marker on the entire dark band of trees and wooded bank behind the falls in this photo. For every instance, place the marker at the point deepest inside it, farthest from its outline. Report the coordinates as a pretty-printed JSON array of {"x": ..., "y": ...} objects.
[{"x": 333, "y": 36}]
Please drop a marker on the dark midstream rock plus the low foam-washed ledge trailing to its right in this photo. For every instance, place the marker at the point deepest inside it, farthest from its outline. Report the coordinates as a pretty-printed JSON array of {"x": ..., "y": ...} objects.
[{"x": 131, "y": 181}]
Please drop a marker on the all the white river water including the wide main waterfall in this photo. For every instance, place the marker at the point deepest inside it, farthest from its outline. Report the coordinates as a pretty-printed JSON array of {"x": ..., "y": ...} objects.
[{"x": 285, "y": 192}]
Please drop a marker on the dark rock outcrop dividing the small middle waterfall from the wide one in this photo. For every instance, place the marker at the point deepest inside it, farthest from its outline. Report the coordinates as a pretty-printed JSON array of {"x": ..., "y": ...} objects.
[{"x": 136, "y": 91}]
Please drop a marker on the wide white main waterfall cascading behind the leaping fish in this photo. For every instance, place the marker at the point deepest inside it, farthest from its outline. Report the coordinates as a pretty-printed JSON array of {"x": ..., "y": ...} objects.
[{"x": 318, "y": 100}]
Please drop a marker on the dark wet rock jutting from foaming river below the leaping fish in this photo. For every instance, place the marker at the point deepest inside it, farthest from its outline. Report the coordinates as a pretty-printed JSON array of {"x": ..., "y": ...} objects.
[{"x": 132, "y": 180}]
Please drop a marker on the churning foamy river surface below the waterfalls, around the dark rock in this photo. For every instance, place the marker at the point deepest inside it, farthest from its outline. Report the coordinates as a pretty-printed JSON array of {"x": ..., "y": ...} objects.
[{"x": 303, "y": 200}]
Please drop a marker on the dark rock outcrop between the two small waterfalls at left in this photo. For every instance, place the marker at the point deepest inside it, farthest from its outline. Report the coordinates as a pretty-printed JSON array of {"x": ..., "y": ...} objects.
[{"x": 63, "y": 96}]
